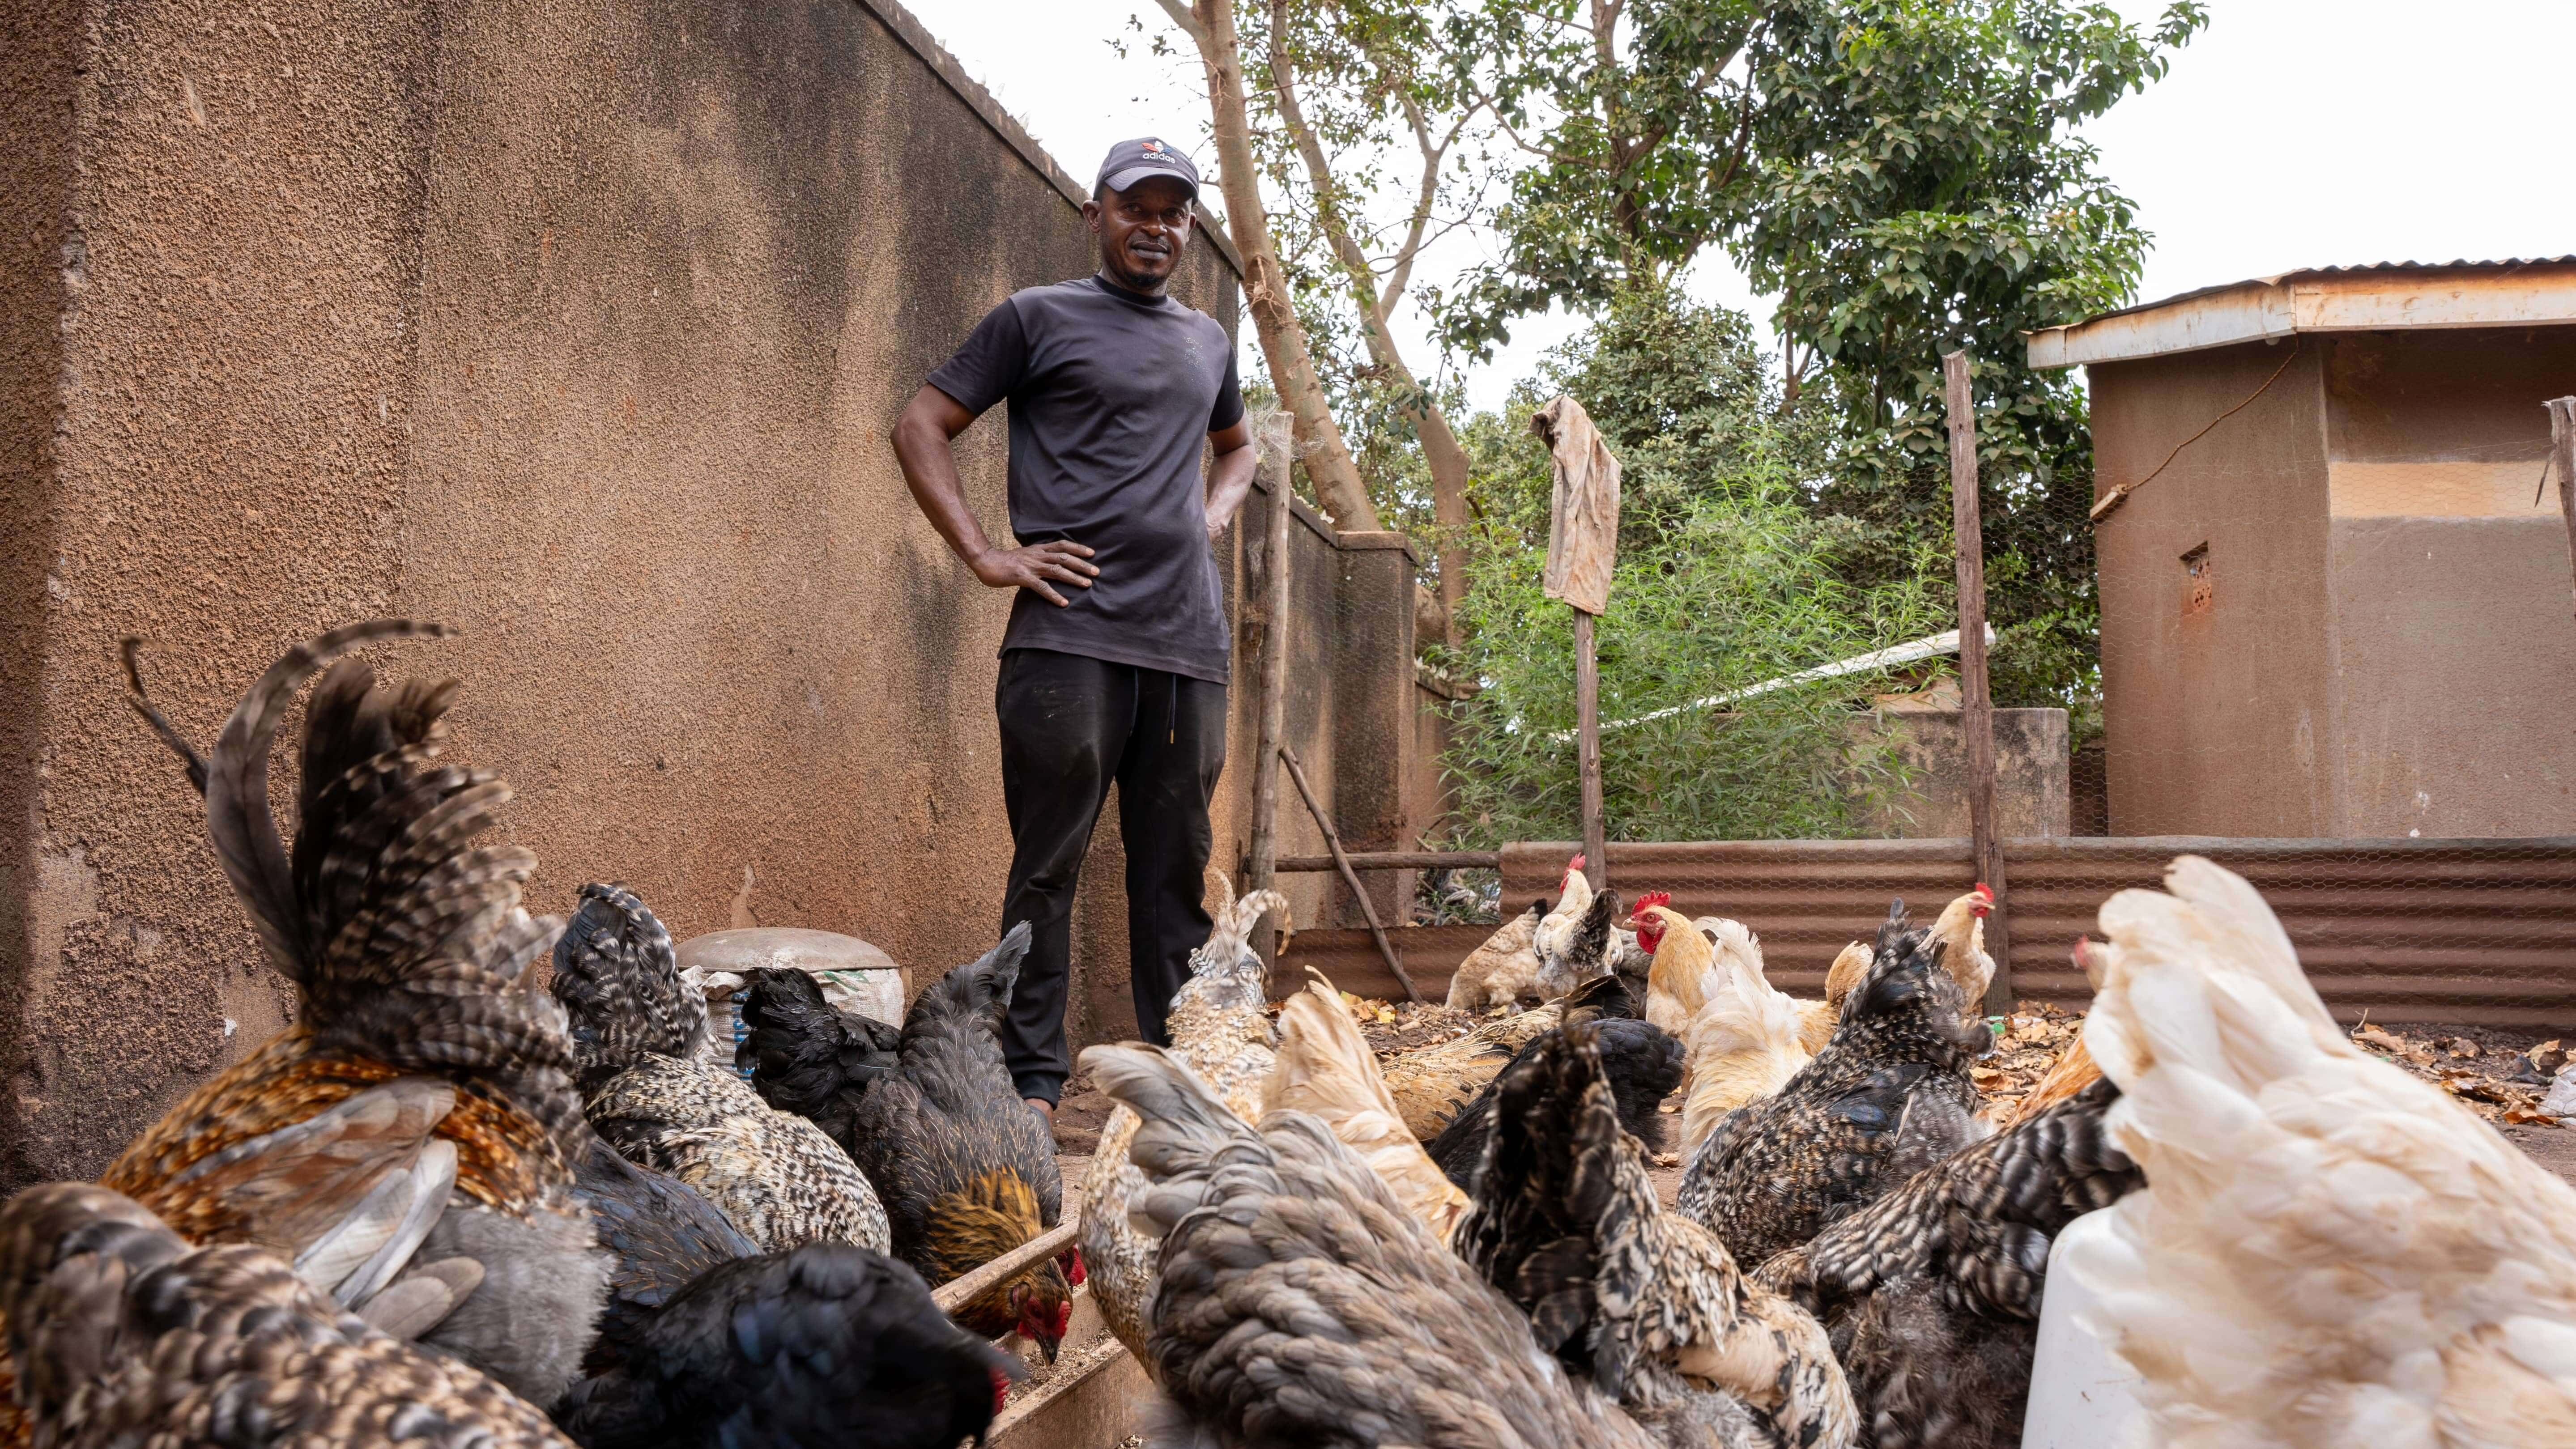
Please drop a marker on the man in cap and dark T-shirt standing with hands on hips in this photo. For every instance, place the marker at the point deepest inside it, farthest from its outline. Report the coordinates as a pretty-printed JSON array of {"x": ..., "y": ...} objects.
[{"x": 1114, "y": 665}]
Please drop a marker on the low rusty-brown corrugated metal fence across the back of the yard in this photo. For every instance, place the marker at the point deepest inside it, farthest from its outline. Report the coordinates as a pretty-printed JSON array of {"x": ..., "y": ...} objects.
[{"x": 2410, "y": 930}]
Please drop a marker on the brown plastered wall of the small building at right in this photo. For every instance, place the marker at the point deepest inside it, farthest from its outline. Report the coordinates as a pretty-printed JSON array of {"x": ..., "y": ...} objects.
[{"x": 2387, "y": 622}]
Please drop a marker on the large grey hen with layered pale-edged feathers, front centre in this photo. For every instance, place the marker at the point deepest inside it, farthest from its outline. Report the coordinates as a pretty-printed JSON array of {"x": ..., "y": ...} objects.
[{"x": 1302, "y": 1306}]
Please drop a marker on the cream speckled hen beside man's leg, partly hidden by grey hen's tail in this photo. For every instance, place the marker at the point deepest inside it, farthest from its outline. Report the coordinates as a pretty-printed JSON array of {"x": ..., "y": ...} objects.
[{"x": 1220, "y": 1028}]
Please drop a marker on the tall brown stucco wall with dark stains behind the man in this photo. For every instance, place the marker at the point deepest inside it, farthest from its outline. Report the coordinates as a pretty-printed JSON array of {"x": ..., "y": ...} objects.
[{"x": 578, "y": 328}]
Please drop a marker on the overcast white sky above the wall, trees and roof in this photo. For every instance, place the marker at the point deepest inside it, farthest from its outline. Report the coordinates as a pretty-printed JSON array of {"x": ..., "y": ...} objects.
[{"x": 2289, "y": 135}]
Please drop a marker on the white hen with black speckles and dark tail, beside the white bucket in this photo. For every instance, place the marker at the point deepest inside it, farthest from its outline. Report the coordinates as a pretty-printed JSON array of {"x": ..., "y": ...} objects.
[{"x": 638, "y": 1031}]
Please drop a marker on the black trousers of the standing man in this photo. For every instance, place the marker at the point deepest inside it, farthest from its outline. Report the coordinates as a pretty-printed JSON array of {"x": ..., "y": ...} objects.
[{"x": 1070, "y": 727}]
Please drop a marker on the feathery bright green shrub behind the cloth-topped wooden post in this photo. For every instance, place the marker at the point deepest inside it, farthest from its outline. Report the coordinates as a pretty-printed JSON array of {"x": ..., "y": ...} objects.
[{"x": 1725, "y": 580}]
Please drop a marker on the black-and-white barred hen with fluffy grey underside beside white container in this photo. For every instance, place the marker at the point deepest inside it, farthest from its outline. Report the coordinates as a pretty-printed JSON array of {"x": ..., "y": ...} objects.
[{"x": 1933, "y": 1293}]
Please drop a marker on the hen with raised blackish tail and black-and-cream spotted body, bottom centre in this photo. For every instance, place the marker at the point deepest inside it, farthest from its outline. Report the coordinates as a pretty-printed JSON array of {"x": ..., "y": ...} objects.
[{"x": 1640, "y": 1301}]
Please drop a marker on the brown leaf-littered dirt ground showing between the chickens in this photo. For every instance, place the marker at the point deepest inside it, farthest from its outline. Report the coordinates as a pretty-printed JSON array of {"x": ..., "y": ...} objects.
[{"x": 2490, "y": 1069}]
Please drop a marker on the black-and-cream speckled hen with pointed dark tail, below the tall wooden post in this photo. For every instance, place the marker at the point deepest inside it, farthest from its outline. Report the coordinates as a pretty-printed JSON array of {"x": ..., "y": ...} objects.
[{"x": 1887, "y": 1098}]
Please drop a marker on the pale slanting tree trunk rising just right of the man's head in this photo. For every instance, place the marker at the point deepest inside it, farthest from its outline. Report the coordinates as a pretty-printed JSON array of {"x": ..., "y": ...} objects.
[{"x": 1284, "y": 338}]
